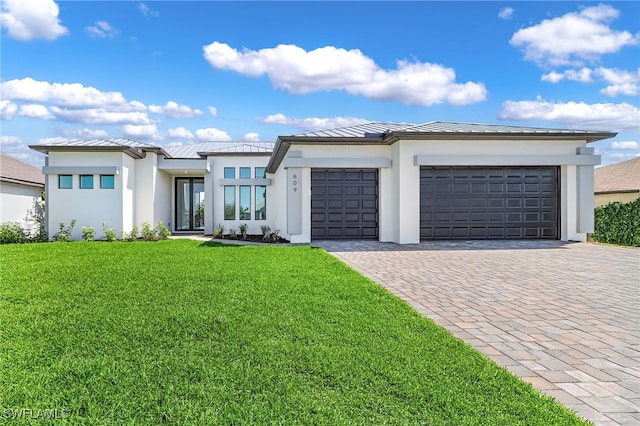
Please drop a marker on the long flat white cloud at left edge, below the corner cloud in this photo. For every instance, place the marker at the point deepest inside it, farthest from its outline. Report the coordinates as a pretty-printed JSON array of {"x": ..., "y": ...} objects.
[{"x": 73, "y": 95}]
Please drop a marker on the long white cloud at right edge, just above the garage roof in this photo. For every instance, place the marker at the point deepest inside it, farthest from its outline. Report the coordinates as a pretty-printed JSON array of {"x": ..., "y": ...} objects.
[{"x": 600, "y": 116}]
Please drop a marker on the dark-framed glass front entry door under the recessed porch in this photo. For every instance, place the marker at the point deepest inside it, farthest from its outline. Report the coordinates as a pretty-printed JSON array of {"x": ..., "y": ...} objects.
[{"x": 189, "y": 204}]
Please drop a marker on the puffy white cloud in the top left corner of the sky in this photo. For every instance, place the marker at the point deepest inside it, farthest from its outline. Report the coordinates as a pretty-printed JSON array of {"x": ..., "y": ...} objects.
[{"x": 31, "y": 19}]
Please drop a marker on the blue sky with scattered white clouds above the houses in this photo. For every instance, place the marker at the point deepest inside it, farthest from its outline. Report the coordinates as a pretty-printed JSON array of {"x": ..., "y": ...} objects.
[{"x": 170, "y": 72}]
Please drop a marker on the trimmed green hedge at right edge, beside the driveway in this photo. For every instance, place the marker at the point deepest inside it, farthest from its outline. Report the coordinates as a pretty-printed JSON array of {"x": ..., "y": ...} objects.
[{"x": 618, "y": 223}]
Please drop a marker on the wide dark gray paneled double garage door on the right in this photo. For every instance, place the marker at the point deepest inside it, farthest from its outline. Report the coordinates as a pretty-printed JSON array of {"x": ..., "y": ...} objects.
[{"x": 489, "y": 202}]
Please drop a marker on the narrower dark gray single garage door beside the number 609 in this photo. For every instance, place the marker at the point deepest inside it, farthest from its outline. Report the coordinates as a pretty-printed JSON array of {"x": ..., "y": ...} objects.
[{"x": 344, "y": 204}]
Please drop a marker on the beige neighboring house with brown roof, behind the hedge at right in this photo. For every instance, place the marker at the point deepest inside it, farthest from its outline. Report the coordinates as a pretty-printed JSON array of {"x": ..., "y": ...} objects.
[{"x": 617, "y": 182}]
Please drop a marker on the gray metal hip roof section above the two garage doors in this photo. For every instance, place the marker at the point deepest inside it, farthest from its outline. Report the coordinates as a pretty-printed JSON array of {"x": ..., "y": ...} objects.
[{"x": 375, "y": 133}]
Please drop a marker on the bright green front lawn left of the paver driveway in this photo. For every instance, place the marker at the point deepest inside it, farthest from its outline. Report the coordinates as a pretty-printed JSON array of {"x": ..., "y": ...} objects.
[{"x": 182, "y": 332}]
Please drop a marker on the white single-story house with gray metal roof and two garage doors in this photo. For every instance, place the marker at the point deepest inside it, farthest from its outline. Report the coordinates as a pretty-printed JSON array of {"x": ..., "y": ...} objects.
[{"x": 399, "y": 183}]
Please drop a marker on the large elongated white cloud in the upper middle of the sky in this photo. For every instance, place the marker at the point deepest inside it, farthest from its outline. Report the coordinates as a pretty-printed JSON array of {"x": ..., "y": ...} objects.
[{"x": 296, "y": 70}]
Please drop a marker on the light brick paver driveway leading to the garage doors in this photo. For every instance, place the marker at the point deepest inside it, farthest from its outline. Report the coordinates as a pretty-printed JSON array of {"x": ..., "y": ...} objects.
[{"x": 562, "y": 316}]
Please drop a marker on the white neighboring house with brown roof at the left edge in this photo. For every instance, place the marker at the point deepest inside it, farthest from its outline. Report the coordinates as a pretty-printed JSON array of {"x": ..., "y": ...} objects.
[{"x": 21, "y": 187}]
